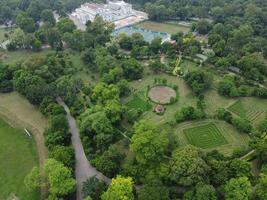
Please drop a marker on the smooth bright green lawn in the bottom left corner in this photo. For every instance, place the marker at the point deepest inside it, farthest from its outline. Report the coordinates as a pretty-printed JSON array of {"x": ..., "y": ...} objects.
[{"x": 18, "y": 156}]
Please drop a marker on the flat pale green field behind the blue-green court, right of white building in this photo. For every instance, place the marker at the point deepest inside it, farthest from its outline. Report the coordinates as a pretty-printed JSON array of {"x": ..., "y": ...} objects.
[{"x": 167, "y": 27}]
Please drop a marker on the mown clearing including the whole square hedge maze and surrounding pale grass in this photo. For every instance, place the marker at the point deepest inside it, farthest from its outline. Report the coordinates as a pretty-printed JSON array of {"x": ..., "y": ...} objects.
[{"x": 210, "y": 135}]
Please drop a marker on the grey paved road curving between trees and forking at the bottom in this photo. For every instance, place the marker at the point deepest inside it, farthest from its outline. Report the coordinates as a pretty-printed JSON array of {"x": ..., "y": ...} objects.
[{"x": 83, "y": 168}]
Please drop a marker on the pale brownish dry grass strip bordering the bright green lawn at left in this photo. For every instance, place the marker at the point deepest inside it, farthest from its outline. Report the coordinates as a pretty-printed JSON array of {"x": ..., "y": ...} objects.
[{"x": 16, "y": 110}]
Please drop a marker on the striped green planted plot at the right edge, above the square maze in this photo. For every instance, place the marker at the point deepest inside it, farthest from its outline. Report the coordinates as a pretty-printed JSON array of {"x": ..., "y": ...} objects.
[{"x": 254, "y": 109}]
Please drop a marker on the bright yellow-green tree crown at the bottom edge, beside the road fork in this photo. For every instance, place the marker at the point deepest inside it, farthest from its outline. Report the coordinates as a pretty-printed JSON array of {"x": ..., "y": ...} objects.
[{"x": 120, "y": 189}]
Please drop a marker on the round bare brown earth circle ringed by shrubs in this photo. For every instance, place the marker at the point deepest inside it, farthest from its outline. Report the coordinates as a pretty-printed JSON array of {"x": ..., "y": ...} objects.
[{"x": 161, "y": 94}]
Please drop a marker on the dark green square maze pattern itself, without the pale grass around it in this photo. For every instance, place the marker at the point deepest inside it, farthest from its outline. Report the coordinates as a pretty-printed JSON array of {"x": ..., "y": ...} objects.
[{"x": 206, "y": 136}]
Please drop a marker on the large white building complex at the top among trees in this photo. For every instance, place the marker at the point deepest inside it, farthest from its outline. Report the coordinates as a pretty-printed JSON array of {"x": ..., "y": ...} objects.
[{"x": 118, "y": 12}]
